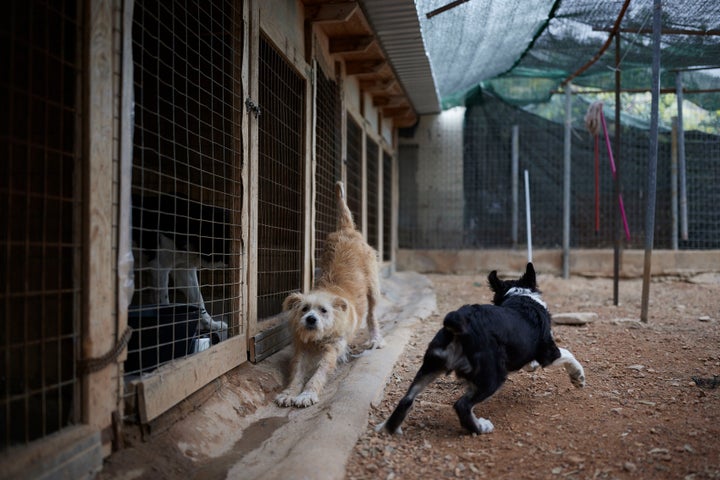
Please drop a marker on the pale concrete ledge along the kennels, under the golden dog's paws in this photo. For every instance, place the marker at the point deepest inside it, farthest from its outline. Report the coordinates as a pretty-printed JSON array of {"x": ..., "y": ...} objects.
[{"x": 233, "y": 429}]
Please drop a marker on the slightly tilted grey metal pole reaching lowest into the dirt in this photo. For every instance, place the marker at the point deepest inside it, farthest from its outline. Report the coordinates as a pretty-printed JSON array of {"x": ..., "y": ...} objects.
[{"x": 652, "y": 160}]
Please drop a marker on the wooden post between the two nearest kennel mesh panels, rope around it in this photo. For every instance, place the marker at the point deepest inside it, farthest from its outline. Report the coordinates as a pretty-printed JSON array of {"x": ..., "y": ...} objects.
[{"x": 99, "y": 321}]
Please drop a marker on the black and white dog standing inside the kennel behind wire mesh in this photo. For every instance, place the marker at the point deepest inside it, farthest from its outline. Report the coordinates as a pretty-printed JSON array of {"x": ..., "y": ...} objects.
[{"x": 177, "y": 236}]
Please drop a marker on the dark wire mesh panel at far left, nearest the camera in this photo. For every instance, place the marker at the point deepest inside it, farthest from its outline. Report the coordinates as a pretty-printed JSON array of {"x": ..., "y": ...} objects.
[{"x": 39, "y": 243}]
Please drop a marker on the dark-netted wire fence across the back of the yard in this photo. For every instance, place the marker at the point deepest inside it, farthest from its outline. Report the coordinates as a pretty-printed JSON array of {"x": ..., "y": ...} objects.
[{"x": 487, "y": 185}]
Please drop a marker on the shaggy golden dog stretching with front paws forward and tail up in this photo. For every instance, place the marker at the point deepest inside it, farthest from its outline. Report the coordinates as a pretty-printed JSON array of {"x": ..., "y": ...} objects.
[{"x": 323, "y": 320}]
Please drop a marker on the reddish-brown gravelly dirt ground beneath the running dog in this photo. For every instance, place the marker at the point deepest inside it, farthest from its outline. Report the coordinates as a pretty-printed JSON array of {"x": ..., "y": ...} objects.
[{"x": 640, "y": 415}]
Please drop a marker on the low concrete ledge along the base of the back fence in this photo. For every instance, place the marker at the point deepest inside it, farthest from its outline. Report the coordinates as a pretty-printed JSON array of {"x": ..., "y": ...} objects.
[{"x": 591, "y": 263}]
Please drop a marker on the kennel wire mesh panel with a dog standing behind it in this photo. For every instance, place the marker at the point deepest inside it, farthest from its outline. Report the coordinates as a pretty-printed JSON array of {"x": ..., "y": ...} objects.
[{"x": 186, "y": 181}]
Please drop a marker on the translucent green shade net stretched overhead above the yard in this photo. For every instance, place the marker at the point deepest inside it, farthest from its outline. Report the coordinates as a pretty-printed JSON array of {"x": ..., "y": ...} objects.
[{"x": 521, "y": 50}]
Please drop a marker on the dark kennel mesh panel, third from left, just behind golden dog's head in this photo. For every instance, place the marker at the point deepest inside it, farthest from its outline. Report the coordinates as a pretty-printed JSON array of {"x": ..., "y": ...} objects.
[{"x": 281, "y": 181}]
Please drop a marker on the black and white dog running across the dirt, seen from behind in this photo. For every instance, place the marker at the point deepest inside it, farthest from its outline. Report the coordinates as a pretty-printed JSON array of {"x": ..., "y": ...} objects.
[{"x": 483, "y": 343}]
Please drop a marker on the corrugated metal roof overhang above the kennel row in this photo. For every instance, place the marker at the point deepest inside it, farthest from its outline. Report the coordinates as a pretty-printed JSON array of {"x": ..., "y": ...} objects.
[{"x": 397, "y": 27}]
